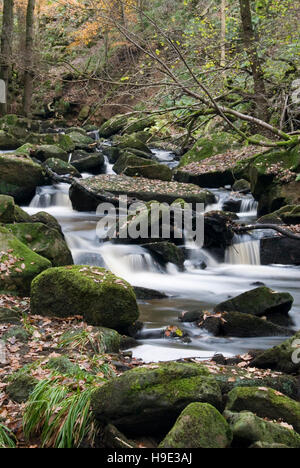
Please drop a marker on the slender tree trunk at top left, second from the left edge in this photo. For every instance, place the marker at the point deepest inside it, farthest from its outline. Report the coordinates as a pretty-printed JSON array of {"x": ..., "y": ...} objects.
[{"x": 29, "y": 72}]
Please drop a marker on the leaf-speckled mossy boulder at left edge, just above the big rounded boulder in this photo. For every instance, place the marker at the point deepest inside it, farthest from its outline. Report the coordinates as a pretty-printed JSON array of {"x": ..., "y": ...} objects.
[{"x": 19, "y": 264}]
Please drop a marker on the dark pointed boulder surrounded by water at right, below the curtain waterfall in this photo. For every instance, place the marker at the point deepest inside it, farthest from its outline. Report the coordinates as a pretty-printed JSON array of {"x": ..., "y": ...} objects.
[{"x": 261, "y": 301}]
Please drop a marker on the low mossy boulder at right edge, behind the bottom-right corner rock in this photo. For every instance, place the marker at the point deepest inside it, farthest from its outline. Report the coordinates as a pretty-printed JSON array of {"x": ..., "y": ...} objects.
[{"x": 266, "y": 403}]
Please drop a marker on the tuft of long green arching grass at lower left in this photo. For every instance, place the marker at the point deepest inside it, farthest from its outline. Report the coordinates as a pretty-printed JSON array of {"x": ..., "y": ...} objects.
[{"x": 58, "y": 410}]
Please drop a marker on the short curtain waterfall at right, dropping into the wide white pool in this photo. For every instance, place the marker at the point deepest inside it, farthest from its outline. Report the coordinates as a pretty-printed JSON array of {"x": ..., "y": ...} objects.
[{"x": 244, "y": 251}]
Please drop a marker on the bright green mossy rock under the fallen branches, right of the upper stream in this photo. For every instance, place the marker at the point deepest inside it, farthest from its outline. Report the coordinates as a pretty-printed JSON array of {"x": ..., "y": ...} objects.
[{"x": 208, "y": 146}]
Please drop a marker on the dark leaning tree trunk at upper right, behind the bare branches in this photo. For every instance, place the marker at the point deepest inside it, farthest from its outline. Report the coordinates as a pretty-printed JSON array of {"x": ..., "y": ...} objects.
[{"x": 250, "y": 42}]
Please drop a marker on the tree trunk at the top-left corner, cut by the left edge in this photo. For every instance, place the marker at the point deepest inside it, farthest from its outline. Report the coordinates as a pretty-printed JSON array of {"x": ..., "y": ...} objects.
[{"x": 6, "y": 47}]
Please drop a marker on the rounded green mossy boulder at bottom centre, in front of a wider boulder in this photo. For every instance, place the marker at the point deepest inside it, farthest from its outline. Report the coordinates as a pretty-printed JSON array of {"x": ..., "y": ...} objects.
[{"x": 199, "y": 425}]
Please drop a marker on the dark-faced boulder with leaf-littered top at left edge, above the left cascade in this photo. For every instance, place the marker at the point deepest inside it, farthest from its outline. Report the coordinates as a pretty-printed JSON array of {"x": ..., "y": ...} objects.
[{"x": 19, "y": 176}]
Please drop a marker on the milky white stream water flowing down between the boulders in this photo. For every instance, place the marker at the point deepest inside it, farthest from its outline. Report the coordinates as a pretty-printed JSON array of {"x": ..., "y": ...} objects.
[{"x": 193, "y": 289}]
